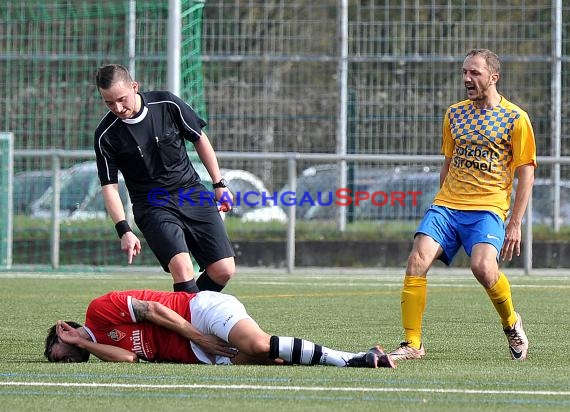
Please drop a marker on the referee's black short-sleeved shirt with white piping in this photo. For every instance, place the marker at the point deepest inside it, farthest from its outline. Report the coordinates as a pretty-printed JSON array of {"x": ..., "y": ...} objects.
[{"x": 149, "y": 149}]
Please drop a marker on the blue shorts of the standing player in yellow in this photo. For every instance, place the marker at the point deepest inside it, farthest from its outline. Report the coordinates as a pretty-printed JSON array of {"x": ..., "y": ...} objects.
[{"x": 453, "y": 228}]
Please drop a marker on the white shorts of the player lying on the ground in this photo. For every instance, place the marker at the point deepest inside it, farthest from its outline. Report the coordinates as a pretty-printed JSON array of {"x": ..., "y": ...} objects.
[{"x": 215, "y": 313}]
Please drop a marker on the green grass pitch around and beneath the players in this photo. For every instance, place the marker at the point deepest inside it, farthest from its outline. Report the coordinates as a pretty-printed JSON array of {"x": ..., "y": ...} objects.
[{"x": 467, "y": 367}]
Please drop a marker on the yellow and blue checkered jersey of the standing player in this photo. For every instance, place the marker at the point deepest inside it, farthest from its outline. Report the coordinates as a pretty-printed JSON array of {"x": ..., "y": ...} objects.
[{"x": 485, "y": 147}]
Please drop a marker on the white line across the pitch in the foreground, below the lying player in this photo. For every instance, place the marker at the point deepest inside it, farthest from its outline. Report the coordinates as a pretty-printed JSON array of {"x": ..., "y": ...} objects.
[{"x": 286, "y": 388}]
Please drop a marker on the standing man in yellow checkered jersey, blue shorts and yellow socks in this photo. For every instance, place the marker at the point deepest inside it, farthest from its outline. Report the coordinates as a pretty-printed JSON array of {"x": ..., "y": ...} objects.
[{"x": 486, "y": 140}]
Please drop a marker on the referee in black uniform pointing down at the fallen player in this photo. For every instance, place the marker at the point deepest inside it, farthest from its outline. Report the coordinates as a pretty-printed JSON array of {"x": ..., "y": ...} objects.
[{"x": 143, "y": 136}]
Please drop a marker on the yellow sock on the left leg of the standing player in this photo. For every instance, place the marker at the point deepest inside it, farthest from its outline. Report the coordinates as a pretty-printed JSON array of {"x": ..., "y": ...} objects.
[{"x": 413, "y": 304}]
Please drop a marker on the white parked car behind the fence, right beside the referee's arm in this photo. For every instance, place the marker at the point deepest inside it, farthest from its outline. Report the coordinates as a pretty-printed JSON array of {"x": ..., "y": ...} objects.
[{"x": 249, "y": 205}]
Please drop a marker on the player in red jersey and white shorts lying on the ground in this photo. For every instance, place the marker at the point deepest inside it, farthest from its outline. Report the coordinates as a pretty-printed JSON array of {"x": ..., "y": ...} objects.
[{"x": 204, "y": 327}]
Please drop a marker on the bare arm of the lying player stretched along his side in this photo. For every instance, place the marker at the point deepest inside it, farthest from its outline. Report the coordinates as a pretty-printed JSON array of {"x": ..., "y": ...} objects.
[{"x": 161, "y": 315}]
